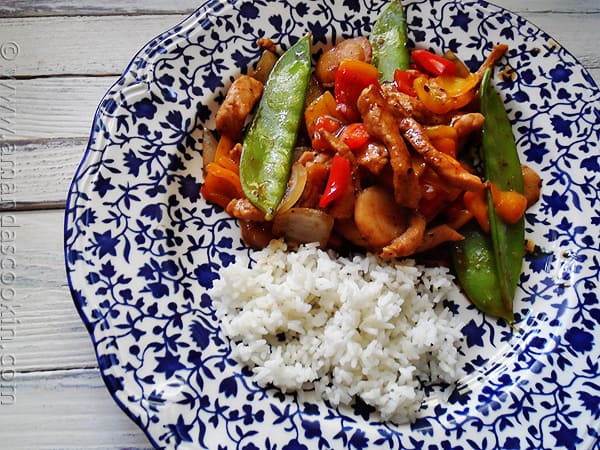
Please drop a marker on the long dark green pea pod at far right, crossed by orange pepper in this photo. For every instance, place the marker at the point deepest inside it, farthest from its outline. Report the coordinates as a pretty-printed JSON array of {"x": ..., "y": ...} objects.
[{"x": 502, "y": 167}]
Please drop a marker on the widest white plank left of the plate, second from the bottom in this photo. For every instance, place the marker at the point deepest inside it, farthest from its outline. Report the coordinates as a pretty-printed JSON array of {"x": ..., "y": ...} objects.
[{"x": 45, "y": 331}]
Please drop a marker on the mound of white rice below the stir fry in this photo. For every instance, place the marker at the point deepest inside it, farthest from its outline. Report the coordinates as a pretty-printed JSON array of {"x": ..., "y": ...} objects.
[{"x": 347, "y": 327}]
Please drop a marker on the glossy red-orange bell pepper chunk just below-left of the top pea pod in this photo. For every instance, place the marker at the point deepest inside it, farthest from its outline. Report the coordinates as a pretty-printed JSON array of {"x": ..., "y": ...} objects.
[{"x": 351, "y": 78}]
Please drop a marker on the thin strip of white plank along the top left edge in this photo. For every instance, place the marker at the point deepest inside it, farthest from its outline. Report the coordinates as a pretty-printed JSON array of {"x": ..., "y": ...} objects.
[{"x": 22, "y": 8}]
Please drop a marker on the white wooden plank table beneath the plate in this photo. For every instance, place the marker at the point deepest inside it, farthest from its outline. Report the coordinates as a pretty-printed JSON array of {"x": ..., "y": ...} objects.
[{"x": 57, "y": 59}]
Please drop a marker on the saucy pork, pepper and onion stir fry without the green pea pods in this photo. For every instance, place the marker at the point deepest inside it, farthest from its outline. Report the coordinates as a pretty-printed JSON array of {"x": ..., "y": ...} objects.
[{"x": 377, "y": 165}]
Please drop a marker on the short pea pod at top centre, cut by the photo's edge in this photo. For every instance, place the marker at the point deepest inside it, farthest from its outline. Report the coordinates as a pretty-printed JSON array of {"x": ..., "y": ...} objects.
[{"x": 388, "y": 40}]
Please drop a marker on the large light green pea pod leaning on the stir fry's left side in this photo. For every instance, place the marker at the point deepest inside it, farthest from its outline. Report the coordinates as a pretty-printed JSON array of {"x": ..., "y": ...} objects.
[{"x": 269, "y": 142}]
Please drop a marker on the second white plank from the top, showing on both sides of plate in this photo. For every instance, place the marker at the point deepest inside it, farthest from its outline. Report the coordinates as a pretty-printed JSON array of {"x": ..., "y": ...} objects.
[{"x": 97, "y": 45}]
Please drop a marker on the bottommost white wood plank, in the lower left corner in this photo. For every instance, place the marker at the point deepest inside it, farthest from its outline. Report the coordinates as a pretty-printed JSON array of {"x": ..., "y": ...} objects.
[{"x": 66, "y": 410}]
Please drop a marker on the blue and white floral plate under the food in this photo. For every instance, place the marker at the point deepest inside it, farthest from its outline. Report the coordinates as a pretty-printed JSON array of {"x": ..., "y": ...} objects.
[{"x": 142, "y": 247}]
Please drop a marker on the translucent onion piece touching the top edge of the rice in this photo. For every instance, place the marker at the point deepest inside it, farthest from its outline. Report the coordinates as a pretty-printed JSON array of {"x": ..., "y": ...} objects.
[{"x": 303, "y": 225}]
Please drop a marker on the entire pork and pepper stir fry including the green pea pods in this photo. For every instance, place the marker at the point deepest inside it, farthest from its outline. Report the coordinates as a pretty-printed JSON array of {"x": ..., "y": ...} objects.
[{"x": 368, "y": 151}]
